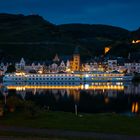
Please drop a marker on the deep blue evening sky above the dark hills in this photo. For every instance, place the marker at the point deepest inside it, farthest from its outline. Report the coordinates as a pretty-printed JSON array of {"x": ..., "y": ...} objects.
[{"x": 122, "y": 13}]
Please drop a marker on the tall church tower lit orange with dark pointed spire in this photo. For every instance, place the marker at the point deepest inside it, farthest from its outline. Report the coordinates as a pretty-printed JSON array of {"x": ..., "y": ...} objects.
[{"x": 76, "y": 60}]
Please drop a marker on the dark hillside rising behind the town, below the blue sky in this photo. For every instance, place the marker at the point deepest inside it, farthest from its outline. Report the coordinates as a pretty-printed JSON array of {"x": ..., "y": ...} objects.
[{"x": 37, "y": 39}]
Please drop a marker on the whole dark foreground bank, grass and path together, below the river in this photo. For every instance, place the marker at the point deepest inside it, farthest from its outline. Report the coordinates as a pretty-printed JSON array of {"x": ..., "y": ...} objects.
[{"x": 66, "y": 126}]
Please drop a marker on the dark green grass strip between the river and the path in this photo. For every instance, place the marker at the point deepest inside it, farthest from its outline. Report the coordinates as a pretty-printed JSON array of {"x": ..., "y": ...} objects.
[{"x": 106, "y": 123}]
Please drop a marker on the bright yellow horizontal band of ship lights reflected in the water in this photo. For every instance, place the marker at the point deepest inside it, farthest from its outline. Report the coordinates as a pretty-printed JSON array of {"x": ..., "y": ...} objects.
[{"x": 73, "y": 86}]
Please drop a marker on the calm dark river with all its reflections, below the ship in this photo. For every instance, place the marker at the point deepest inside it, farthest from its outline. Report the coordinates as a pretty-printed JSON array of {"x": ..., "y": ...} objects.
[{"x": 89, "y": 97}]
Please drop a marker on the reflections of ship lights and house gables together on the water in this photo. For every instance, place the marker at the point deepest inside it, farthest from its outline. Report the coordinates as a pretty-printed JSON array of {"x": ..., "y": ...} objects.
[{"x": 106, "y": 88}]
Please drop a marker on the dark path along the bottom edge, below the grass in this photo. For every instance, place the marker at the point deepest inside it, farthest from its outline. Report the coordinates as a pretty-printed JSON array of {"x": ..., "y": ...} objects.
[{"x": 63, "y": 134}]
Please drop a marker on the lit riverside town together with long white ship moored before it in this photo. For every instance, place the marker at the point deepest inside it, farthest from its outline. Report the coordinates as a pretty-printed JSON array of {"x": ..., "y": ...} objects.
[{"x": 70, "y": 68}]
